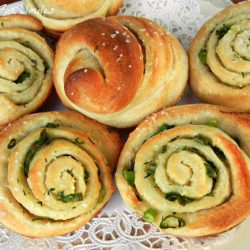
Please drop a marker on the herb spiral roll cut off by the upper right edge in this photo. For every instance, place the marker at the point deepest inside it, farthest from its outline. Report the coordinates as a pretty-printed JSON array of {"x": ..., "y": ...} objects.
[{"x": 220, "y": 61}]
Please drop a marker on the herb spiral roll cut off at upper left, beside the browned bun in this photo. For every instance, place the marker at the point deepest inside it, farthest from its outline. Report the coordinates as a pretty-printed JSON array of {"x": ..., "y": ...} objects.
[{"x": 25, "y": 67}]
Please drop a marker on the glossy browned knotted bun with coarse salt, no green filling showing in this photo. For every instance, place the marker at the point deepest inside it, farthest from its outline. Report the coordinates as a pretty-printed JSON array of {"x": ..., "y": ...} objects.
[{"x": 117, "y": 70}]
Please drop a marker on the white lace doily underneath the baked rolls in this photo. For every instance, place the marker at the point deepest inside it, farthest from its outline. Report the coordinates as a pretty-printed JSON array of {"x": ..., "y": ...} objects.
[{"x": 116, "y": 227}]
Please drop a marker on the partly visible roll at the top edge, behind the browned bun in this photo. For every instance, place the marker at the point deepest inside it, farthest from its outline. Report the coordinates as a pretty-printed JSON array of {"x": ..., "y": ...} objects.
[{"x": 58, "y": 16}]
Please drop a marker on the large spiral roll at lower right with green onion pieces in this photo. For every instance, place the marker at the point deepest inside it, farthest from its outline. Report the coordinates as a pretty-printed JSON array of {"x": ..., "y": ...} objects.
[{"x": 186, "y": 170}]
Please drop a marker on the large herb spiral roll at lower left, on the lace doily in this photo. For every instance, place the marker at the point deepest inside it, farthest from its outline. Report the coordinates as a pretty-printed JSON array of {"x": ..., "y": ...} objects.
[{"x": 55, "y": 172}]
